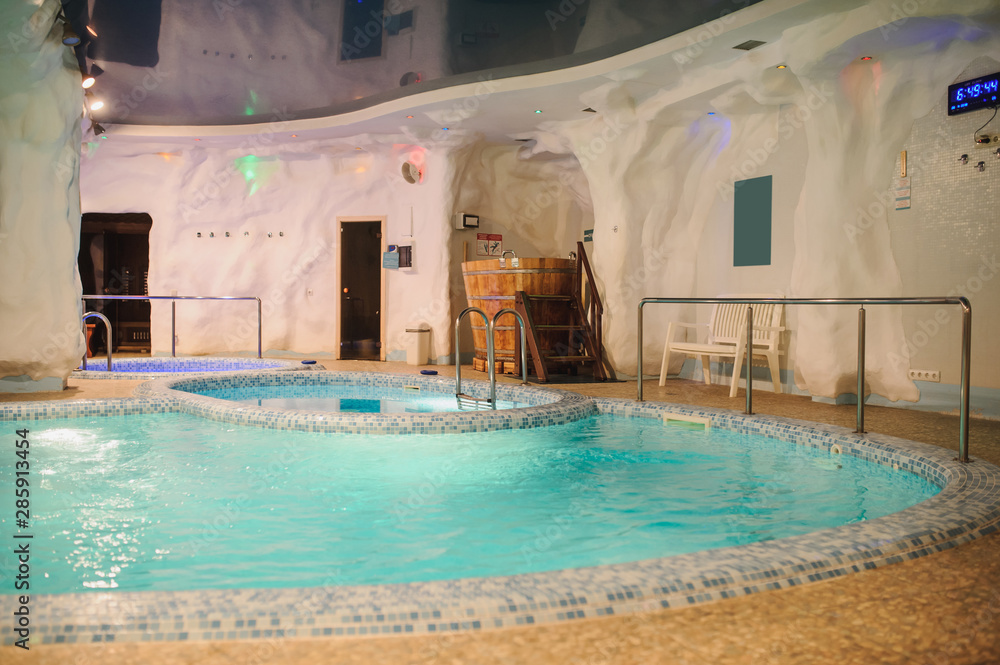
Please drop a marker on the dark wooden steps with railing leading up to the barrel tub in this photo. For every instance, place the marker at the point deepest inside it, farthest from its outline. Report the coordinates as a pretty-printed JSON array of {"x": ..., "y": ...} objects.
[{"x": 582, "y": 326}]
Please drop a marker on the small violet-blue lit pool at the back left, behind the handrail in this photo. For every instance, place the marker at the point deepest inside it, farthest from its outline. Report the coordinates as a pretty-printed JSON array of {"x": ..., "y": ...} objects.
[{"x": 155, "y": 368}]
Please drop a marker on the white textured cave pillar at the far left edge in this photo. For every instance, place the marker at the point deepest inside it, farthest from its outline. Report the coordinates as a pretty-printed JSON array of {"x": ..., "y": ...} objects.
[{"x": 40, "y": 105}]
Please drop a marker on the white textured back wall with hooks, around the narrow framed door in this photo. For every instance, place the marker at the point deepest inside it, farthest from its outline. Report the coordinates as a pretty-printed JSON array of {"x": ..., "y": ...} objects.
[{"x": 295, "y": 193}]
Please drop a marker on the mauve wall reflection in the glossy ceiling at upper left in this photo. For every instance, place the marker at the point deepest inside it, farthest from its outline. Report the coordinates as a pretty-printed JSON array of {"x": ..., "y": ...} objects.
[{"x": 231, "y": 55}]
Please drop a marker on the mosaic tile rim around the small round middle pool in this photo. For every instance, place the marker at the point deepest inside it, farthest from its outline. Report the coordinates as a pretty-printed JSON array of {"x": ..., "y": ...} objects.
[{"x": 548, "y": 407}]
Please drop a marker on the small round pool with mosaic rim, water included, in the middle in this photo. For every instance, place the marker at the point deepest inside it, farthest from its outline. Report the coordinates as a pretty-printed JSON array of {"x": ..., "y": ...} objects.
[{"x": 376, "y": 403}]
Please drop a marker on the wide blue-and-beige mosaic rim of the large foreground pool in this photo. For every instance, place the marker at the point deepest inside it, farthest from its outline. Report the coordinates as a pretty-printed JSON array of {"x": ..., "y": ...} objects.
[{"x": 968, "y": 507}]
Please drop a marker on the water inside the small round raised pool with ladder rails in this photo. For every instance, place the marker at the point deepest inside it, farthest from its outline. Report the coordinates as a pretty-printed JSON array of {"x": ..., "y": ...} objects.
[{"x": 343, "y": 398}]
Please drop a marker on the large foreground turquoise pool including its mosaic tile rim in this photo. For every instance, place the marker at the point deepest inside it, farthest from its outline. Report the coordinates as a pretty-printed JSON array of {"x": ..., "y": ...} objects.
[{"x": 568, "y": 520}]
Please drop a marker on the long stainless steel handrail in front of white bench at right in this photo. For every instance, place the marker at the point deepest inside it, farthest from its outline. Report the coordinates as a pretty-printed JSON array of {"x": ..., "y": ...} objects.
[{"x": 963, "y": 426}]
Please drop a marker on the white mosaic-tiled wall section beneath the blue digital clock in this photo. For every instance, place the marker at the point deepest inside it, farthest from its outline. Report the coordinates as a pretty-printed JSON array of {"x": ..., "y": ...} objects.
[{"x": 948, "y": 242}]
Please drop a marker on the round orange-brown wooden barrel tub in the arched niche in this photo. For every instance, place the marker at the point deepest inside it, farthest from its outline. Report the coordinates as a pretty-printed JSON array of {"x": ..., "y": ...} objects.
[{"x": 491, "y": 288}]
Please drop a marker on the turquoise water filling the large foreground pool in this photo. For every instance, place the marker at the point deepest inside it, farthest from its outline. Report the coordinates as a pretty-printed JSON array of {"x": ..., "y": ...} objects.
[{"x": 173, "y": 502}]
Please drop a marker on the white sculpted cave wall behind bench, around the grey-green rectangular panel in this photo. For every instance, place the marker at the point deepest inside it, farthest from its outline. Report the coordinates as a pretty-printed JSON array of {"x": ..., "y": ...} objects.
[{"x": 656, "y": 170}]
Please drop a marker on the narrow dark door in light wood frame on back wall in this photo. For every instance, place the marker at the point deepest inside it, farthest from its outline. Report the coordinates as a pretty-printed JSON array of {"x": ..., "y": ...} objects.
[{"x": 361, "y": 288}]
